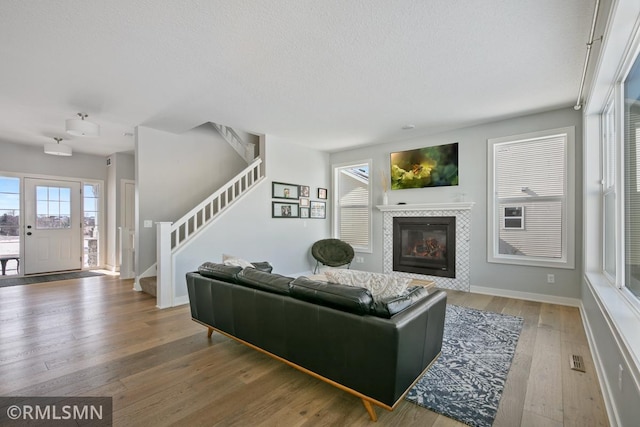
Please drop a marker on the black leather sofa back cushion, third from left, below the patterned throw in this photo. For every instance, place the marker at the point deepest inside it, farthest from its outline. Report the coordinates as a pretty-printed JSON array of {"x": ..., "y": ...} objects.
[{"x": 346, "y": 298}]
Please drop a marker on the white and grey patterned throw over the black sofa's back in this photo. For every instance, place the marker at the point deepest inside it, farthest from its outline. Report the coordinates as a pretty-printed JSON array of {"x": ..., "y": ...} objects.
[{"x": 380, "y": 285}]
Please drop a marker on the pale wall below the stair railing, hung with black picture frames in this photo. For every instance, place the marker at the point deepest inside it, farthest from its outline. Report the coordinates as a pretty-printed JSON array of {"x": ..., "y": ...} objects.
[{"x": 249, "y": 231}]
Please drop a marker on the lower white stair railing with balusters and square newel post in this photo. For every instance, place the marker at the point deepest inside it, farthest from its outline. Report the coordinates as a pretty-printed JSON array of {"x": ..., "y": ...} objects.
[{"x": 171, "y": 237}]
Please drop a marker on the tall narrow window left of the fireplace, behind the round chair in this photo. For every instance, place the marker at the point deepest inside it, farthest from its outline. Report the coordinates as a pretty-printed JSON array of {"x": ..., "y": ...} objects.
[{"x": 352, "y": 190}]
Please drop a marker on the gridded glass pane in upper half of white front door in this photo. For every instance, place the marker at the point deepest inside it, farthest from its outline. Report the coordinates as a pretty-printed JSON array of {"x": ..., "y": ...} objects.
[{"x": 53, "y": 207}]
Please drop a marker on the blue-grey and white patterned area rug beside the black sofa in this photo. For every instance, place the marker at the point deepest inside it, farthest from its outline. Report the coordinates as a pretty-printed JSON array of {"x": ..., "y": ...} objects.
[{"x": 467, "y": 380}]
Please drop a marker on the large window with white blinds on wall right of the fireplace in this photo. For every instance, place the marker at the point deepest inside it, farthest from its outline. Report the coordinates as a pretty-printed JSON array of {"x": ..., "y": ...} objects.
[{"x": 528, "y": 198}]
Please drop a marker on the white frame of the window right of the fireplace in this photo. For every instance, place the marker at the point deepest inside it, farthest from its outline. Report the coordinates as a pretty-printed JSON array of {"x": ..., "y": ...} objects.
[{"x": 567, "y": 259}]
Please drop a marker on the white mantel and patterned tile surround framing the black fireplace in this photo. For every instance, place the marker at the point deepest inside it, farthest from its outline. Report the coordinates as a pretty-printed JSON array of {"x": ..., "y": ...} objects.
[{"x": 462, "y": 212}]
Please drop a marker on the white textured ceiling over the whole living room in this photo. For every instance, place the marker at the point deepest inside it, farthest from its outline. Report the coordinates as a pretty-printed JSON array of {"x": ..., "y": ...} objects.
[{"x": 328, "y": 74}]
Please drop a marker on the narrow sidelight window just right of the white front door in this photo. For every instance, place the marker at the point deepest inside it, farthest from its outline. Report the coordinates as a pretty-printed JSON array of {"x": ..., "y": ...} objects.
[{"x": 91, "y": 224}]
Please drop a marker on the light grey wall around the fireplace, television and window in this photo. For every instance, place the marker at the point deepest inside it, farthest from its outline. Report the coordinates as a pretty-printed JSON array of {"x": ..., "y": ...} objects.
[{"x": 473, "y": 182}]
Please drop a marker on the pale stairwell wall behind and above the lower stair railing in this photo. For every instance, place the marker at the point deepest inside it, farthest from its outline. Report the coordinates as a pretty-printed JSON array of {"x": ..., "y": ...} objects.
[{"x": 173, "y": 174}]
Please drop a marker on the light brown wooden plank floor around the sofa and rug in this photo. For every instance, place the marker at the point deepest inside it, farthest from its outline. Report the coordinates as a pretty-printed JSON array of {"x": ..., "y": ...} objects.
[{"x": 97, "y": 337}]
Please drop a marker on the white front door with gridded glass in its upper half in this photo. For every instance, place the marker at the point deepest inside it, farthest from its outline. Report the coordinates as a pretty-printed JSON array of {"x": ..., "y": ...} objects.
[{"x": 53, "y": 227}]
